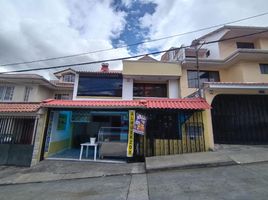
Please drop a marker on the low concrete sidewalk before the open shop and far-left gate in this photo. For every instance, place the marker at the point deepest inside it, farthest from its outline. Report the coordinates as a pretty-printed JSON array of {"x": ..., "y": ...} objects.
[{"x": 53, "y": 170}]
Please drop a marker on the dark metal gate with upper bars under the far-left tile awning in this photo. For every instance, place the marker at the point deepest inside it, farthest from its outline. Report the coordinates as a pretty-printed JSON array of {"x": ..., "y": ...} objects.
[{"x": 16, "y": 140}]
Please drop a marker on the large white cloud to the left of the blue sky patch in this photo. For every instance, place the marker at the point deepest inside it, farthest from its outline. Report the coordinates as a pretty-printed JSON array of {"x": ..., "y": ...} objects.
[{"x": 31, "y": 30}]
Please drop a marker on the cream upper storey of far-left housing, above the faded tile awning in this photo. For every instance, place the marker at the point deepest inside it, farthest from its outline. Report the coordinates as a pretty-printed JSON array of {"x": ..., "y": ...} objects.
[{"x": 33, "y": 88}]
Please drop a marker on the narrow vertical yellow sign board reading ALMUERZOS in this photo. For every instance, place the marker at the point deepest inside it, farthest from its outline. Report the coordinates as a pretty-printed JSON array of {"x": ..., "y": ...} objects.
[{"x": 130, "y": 145}]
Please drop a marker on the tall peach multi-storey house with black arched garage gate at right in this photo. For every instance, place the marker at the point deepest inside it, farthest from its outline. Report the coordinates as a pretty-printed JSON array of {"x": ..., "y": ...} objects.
[{"x": 234, "y": 81}]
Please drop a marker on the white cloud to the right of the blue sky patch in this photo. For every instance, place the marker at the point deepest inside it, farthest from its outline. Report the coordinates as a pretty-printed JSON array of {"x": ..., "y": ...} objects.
[{"x": 180, "y": 16}]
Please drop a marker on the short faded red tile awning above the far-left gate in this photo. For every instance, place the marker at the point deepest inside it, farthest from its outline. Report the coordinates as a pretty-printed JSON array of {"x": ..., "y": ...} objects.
[{"x": 19, "y": 107}]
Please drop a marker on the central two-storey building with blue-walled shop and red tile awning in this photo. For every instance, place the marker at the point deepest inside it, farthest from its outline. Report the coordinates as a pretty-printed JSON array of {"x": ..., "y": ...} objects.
[{"x": 104, "y": 106}]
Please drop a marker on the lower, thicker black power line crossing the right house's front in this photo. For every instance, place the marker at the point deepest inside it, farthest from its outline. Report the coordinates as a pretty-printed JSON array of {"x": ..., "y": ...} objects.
[{"x": 130, "y": 57}]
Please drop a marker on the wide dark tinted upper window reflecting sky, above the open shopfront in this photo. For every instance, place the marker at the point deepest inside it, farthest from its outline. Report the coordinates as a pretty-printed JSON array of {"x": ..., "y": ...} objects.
[{"x": 100, "y": 85}]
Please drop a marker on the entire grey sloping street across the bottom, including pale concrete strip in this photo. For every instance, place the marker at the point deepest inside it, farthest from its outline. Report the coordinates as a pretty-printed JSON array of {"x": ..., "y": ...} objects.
[{"x": 229, "y": 182}]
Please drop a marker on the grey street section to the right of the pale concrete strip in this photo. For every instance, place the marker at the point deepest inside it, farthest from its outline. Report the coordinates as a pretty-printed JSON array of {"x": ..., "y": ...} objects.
[{"x": 231, "y": 182}]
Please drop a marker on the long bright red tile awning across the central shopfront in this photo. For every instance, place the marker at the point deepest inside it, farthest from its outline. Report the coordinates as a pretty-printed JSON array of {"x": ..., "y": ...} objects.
[{"x": 196, "y": 103}]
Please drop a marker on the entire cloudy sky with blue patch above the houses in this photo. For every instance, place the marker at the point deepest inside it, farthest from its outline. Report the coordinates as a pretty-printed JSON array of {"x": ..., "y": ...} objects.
[{"x": 33, "y": 30}]
